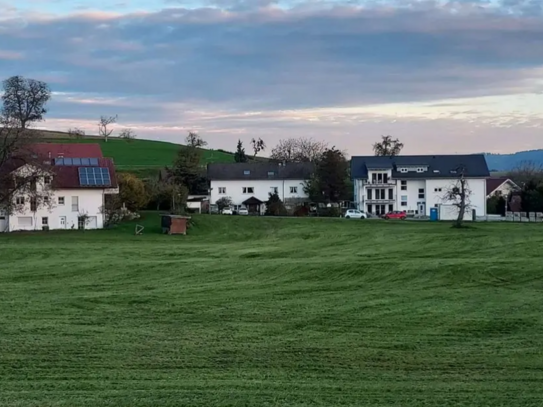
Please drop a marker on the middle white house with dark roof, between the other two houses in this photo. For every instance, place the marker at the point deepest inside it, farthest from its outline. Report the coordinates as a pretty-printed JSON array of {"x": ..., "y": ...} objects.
[{"x": 250, "y": 184}]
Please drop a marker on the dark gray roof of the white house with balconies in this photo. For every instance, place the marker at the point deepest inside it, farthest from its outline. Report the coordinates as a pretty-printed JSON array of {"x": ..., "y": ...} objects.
[{"x": 439, "y": 166}]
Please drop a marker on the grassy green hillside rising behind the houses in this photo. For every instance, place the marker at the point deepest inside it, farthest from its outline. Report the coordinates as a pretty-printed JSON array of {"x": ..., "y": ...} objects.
[{"x": 143, "y": 157}]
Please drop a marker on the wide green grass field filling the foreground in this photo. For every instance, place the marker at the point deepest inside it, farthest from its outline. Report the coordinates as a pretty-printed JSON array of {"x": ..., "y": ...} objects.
[{"x": 274, "y": 312}]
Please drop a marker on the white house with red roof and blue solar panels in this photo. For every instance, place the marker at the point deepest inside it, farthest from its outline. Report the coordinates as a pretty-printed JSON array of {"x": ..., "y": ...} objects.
[{"x": 68, "y": 193}]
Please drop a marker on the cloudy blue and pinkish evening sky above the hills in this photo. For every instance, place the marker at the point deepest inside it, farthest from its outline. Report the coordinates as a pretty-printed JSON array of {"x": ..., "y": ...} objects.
[{"x": 442, "y": 76}]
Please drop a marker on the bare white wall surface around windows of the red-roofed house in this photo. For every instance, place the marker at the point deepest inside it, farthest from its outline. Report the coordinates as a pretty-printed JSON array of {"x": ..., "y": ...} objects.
[{"x": 90, "y": 203}]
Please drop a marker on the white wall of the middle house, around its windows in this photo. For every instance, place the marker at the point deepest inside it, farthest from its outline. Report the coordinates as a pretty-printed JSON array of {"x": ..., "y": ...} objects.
[{"x": 262, "y": 188}]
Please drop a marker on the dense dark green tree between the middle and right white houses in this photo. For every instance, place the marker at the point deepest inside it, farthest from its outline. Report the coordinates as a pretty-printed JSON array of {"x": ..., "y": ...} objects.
[{"x": 330, "y": 180}]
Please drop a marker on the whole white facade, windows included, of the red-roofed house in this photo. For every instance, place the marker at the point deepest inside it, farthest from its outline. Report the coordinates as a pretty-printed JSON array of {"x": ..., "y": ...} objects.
[{"x": 63, "y": 212}]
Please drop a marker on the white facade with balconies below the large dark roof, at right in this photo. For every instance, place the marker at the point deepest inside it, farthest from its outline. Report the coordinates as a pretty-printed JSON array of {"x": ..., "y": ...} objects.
[{"x": 415, "y": 196}]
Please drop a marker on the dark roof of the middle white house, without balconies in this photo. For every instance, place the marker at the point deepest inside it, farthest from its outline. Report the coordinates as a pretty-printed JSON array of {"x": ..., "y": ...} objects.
[{"x": 259, "y": 171}]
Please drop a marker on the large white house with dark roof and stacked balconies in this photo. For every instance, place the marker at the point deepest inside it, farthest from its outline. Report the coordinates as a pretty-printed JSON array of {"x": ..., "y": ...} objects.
[{"x": 416, "y": 184}]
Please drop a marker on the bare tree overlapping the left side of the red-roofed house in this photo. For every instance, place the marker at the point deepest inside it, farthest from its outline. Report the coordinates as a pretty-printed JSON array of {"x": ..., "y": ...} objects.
[{"x": 25, "y": 178}]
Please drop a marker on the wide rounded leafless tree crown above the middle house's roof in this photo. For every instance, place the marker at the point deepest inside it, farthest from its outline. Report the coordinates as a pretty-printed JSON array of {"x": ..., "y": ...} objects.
[{"x": 298, "y": 150}]
